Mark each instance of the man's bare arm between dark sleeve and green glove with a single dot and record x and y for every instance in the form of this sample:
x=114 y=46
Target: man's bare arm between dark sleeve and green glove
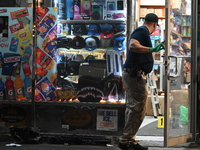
x=136 y=47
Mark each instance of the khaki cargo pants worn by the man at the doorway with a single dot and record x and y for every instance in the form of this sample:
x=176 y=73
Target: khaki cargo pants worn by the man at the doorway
x=136 y=97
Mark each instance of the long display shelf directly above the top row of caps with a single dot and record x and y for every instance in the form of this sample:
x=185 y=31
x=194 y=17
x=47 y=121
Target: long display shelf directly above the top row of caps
x=92 y=21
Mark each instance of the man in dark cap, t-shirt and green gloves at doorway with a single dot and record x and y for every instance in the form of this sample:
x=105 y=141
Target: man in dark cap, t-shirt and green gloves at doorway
x=138 y=64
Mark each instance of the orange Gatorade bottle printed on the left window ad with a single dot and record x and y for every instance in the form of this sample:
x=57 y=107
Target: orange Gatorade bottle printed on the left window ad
x=19 y=88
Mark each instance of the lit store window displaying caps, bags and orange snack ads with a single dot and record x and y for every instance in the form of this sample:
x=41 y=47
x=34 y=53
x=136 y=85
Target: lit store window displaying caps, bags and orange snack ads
x=82 y=46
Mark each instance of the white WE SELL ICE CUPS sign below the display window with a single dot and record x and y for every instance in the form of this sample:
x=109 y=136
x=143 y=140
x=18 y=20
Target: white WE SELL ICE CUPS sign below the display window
x=107 y=119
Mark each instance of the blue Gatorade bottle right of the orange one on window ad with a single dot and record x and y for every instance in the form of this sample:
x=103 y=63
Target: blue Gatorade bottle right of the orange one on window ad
x=28 y=87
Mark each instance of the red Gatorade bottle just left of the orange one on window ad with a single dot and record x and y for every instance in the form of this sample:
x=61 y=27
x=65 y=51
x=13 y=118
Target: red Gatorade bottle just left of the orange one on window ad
x=10 y=91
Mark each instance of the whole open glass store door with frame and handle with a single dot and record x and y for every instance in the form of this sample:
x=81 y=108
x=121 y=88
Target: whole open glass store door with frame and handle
x=179 y=62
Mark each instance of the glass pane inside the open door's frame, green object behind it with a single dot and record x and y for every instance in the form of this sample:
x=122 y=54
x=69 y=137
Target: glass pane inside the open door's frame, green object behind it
x=180 y=67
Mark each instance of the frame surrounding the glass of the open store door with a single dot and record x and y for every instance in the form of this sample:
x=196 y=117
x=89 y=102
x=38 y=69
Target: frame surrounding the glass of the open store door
x=172 y=141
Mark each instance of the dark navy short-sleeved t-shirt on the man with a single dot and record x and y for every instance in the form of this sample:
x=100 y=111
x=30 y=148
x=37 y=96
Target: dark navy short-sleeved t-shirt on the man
x=143 y=60
